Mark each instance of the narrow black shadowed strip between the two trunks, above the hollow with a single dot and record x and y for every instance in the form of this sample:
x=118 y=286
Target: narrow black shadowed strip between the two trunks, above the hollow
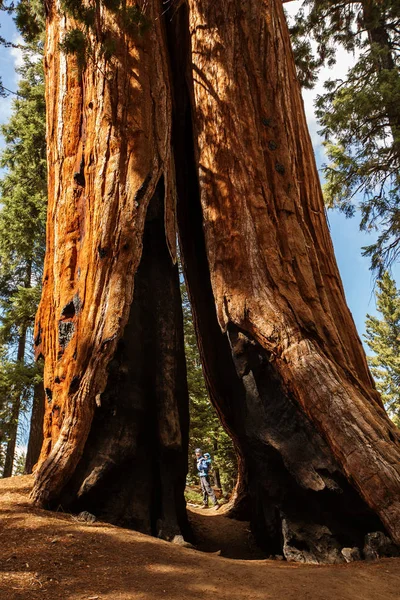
x=213 y=344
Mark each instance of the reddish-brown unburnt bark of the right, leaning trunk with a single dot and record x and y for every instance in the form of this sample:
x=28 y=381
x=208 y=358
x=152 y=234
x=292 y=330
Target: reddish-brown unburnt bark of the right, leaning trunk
x=275 y=282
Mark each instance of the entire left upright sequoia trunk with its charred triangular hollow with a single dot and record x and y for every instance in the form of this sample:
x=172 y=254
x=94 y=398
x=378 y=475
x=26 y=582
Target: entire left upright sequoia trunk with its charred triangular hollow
x=109 y=157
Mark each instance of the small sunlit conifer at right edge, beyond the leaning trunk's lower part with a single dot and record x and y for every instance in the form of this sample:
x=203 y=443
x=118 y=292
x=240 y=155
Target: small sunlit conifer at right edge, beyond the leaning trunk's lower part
x=383 y=338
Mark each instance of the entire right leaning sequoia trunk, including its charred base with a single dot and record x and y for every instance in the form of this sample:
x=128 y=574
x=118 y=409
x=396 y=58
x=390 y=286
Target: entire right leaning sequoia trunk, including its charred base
x=311 y=425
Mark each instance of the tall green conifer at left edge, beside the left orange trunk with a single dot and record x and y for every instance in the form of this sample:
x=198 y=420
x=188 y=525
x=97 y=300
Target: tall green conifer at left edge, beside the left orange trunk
x=22 y=243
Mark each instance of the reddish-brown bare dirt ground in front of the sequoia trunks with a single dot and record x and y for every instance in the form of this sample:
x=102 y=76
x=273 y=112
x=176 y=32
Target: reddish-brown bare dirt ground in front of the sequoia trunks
x=52 y=556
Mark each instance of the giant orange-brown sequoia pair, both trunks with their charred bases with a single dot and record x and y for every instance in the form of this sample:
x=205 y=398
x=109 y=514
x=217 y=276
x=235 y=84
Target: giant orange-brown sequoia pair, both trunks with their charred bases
x=193 y=121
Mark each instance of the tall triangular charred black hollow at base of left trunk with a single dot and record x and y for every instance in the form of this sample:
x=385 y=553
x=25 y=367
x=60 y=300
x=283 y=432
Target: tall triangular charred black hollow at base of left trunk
x=134 y=465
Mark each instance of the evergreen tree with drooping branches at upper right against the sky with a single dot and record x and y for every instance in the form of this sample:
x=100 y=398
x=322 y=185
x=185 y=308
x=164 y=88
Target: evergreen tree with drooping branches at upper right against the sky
x=360 y=115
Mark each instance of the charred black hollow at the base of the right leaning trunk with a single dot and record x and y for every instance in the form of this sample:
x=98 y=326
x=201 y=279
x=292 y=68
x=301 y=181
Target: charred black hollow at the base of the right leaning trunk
x=301 y=501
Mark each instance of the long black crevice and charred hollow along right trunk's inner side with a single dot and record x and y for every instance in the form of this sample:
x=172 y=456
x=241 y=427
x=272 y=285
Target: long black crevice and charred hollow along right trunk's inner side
x=298 y=499
